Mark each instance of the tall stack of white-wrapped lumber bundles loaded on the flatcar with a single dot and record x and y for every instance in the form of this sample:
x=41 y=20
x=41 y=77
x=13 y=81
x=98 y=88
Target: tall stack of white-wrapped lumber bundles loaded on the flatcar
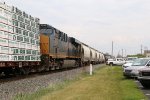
x=19 y=35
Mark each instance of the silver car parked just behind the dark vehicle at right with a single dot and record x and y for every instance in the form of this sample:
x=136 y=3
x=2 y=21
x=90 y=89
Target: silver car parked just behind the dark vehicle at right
x=133 y=70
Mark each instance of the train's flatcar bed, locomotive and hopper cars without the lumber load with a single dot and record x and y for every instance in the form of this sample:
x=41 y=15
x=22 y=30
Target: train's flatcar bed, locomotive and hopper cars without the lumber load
x=58 y=51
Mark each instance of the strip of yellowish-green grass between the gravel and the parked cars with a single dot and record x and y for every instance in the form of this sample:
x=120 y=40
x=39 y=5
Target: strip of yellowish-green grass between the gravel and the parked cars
x=107 y=83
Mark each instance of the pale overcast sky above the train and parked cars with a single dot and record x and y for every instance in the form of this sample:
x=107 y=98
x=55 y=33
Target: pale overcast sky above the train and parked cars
x=96 y=22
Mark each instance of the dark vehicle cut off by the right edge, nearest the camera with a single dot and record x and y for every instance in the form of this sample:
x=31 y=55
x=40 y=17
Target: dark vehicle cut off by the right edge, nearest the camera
x=144 y=76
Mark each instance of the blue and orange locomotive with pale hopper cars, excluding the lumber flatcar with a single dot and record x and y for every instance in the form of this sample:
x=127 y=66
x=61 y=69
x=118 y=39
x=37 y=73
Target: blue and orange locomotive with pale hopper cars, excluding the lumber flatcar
x=57 y=49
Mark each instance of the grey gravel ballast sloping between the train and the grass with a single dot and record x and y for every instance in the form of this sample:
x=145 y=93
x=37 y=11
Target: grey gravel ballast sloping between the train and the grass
x=9 y=90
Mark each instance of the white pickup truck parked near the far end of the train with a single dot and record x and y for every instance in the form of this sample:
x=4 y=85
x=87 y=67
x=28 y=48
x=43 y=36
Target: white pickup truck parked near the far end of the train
x=116 y=61
